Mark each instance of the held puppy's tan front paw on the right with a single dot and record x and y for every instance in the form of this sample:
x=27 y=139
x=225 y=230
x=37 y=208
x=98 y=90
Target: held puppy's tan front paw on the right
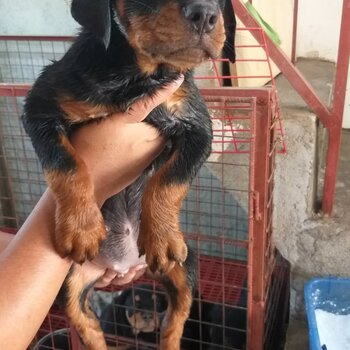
x=163 y=251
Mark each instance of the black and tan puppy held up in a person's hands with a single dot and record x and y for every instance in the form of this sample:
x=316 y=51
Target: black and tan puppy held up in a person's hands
x=127 y=49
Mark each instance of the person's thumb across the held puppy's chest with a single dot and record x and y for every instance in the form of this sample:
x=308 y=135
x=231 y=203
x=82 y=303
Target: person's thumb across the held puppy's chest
x=139 y=110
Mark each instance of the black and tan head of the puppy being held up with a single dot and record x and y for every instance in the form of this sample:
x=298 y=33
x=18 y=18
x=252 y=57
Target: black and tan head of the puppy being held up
x=178 y=33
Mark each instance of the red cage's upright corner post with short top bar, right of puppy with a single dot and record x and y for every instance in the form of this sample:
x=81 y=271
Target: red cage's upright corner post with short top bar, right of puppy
x=259 y=267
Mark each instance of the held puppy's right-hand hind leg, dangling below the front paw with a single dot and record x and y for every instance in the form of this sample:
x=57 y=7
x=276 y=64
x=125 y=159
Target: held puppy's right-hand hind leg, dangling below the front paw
x=179 y=285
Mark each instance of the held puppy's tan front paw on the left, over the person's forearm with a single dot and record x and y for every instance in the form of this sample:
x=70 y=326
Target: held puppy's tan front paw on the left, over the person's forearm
x=79 y=234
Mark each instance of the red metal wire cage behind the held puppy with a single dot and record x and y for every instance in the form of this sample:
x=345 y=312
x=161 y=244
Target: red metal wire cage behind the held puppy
x=243 y=284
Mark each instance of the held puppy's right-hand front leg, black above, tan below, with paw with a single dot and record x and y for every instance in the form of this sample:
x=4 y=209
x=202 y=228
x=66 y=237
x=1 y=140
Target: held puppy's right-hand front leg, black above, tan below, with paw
x=160 y=235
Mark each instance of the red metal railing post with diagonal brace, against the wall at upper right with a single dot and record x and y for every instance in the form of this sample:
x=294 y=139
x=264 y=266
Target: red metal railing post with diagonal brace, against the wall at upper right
x=331 y=119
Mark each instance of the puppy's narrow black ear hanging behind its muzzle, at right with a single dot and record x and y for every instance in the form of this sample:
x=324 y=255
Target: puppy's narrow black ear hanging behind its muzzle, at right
x=230 y=25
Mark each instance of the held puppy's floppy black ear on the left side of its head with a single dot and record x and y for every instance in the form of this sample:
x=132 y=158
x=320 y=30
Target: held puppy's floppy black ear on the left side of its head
x=95 y=16
